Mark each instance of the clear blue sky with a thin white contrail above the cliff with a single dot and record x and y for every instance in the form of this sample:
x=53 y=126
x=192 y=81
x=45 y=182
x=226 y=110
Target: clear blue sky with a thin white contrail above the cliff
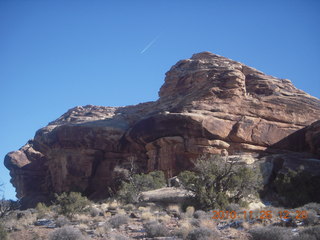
x=55 y=55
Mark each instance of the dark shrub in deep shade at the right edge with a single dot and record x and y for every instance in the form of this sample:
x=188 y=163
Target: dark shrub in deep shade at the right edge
x=290 y=183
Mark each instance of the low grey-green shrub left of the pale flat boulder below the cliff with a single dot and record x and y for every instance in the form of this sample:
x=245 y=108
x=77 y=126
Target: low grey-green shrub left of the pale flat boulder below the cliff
x=130 y=190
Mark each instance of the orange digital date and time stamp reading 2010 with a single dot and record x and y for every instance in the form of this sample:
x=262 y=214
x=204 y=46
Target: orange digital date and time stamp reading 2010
x=263 y=214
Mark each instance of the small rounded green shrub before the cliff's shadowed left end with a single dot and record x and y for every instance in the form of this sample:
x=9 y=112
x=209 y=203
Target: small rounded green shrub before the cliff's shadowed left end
x=72 y=203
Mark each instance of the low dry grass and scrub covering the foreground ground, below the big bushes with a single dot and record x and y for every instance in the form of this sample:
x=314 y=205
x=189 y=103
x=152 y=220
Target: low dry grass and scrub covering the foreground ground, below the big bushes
x=149 y=220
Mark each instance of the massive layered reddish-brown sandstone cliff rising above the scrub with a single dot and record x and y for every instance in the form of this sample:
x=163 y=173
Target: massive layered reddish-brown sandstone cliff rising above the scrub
x=208 y=104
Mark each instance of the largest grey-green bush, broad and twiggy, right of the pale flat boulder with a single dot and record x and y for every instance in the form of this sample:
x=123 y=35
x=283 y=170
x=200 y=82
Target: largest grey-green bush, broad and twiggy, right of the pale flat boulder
x=217 y=181
